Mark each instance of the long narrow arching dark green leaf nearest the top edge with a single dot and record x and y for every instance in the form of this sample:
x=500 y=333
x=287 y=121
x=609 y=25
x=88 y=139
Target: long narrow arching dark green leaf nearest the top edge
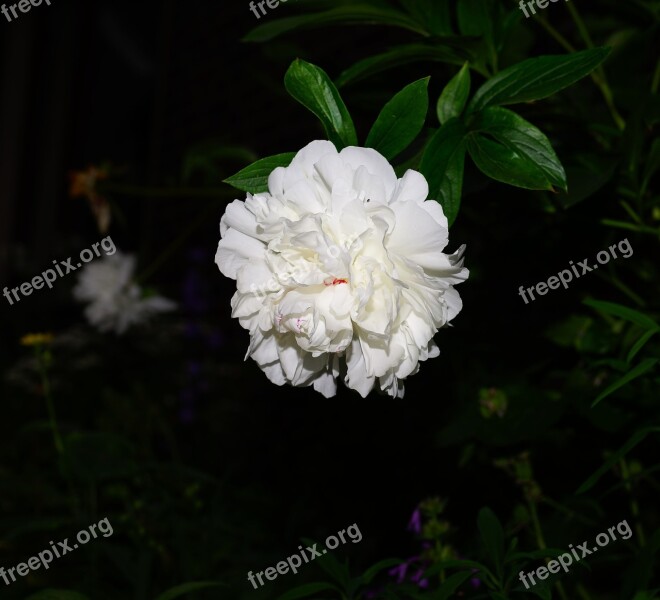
x=353 y=14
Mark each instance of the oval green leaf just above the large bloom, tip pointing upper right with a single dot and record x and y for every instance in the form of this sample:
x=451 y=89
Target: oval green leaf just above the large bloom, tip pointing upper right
x=401 y=120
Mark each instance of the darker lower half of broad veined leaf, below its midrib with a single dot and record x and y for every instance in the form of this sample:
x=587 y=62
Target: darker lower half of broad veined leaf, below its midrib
x=506 y=165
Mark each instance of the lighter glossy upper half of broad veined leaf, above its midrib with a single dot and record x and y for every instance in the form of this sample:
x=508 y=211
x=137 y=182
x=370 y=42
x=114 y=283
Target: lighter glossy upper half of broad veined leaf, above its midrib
x=521 y=137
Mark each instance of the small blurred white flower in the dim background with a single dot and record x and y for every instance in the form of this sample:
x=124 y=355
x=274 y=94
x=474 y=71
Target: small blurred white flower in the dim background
x=116 y=302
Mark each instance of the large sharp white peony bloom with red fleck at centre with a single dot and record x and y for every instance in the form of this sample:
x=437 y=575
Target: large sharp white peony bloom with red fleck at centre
x=340 y=269
